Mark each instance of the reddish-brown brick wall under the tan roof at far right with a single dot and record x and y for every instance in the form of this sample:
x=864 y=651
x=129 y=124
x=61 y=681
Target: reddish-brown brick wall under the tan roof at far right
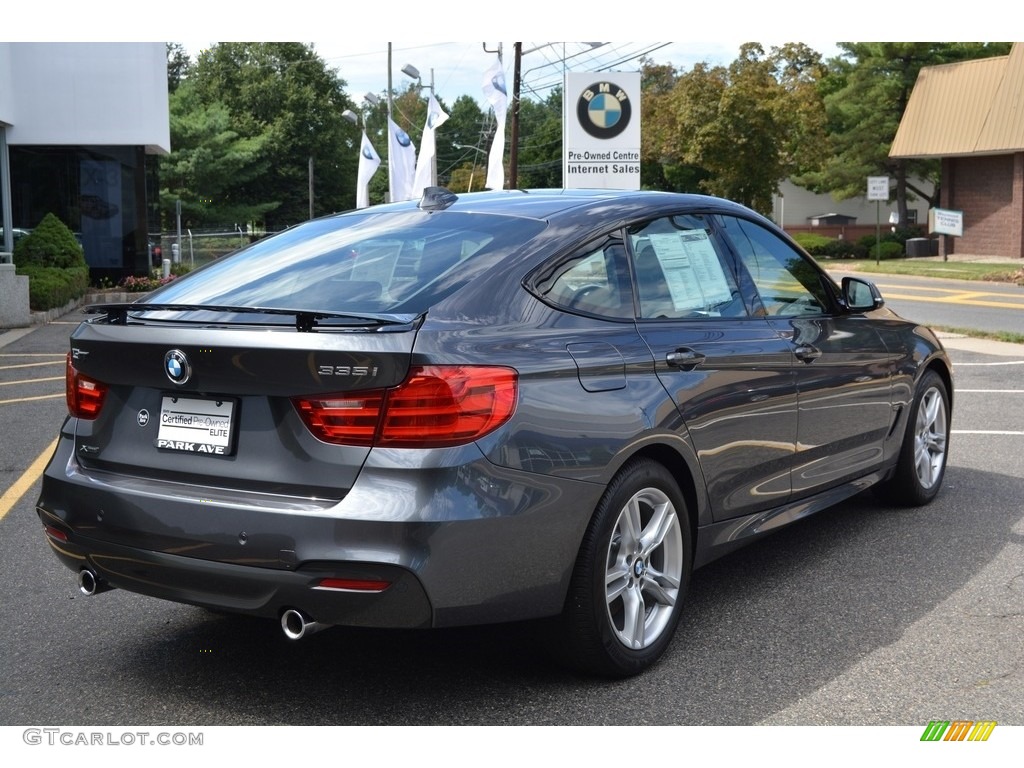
x=991 y=193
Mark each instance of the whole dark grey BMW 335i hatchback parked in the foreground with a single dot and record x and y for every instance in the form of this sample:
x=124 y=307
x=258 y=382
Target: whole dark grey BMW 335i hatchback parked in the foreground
x=486 y=408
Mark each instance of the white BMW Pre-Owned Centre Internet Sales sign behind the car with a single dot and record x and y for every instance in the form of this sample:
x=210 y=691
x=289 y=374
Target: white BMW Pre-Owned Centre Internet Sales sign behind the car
x=603 y=132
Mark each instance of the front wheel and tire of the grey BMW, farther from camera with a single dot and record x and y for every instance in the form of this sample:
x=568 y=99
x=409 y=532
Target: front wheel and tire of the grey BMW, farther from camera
x=923 y=455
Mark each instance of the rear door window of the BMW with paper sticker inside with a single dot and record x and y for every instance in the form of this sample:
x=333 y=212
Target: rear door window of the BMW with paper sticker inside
x=680 y=273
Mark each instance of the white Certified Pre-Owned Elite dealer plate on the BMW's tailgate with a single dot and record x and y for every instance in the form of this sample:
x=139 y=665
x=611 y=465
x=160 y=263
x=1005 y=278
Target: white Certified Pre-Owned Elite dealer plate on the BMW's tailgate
x=197 y=425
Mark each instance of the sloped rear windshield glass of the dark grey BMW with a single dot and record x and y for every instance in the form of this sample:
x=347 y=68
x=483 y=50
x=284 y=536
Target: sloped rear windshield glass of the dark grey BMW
x=373 y=264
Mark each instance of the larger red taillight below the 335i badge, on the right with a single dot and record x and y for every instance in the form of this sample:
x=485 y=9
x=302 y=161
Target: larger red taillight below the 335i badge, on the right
x=436 y=407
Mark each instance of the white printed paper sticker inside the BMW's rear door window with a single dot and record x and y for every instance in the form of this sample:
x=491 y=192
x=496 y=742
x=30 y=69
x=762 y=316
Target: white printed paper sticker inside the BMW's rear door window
x=692 y=269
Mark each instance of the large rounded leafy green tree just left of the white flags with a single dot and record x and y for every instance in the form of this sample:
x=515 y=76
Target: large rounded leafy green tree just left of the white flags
x=284 y=112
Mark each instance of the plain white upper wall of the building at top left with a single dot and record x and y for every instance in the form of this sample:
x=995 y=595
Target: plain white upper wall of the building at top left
x=86 y=94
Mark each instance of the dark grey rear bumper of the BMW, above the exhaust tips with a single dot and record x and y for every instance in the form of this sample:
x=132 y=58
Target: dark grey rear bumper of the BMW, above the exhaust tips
x=478 y=544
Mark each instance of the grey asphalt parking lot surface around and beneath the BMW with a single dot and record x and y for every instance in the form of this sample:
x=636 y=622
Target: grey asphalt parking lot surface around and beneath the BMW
x=860 y=616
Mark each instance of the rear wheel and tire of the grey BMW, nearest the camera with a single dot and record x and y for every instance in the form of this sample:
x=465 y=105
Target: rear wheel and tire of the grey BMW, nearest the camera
x=627 y=590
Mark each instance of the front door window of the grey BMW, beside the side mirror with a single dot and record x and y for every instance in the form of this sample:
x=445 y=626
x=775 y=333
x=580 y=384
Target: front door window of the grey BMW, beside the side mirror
x=788 y=284
